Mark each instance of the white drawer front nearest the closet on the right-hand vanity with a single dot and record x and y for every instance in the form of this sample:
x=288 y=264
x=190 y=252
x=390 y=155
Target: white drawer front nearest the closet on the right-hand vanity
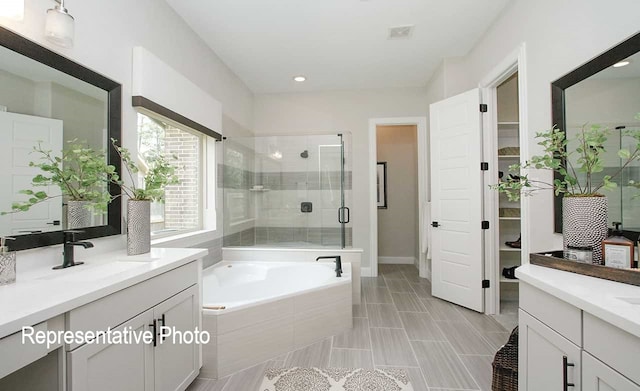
x=555 y=313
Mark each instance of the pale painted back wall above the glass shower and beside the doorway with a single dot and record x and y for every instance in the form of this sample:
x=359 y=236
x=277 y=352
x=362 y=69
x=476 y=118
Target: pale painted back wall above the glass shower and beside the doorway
x=340 y=111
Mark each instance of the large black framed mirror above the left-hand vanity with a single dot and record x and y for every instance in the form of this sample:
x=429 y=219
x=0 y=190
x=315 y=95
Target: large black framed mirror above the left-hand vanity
x=43 y=87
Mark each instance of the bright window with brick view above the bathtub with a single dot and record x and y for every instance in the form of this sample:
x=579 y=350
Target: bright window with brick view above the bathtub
x=183 y=208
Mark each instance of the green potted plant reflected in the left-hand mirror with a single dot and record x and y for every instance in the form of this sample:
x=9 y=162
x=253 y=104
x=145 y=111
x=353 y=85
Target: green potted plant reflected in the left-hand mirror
x=82 y=174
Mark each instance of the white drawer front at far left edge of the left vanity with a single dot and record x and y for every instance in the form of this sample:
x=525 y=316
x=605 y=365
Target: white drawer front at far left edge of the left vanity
x=16 y=355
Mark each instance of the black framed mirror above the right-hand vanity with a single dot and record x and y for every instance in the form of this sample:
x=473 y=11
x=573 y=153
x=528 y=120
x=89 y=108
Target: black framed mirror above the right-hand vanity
x=599 y=93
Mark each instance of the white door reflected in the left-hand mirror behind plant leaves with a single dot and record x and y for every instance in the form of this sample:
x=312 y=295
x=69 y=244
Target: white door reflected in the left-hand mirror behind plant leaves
x=19 y=133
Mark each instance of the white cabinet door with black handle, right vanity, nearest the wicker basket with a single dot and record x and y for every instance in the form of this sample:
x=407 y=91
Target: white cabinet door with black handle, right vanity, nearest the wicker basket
x=541 y=358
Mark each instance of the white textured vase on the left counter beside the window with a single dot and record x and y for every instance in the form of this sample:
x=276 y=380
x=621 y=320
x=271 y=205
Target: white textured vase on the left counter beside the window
x=138 y=227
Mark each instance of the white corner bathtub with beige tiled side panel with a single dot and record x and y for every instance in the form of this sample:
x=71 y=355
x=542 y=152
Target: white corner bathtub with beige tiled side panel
x=256 y=311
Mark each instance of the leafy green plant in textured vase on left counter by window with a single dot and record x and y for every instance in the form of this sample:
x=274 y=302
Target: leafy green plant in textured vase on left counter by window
x=158 y=174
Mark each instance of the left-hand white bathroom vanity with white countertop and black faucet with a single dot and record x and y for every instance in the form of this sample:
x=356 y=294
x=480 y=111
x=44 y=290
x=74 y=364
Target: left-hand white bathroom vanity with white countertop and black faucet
x=111 y=291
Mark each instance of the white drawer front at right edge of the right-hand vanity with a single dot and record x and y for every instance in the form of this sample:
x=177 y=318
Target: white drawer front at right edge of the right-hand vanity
x=613 y=346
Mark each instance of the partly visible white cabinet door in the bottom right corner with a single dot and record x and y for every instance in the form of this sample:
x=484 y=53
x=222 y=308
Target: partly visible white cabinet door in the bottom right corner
x=597 y=376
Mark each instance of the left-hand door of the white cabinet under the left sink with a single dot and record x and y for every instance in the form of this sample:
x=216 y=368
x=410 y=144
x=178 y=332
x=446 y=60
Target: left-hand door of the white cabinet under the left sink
x=119 y=366
